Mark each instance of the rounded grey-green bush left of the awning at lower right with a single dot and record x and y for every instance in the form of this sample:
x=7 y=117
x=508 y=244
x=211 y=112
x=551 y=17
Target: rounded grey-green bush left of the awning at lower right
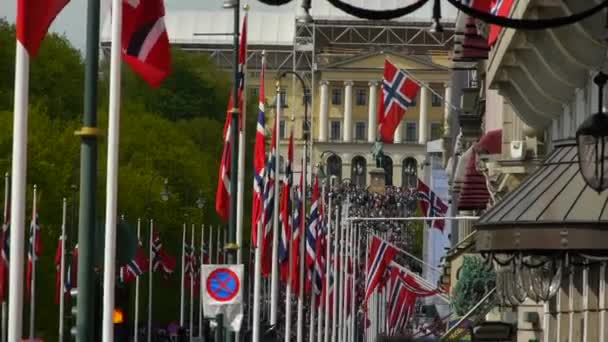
x=474 y=282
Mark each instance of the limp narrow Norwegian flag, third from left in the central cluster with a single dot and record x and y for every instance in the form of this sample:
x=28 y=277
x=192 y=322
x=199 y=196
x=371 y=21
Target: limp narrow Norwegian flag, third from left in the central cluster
x=285 y=214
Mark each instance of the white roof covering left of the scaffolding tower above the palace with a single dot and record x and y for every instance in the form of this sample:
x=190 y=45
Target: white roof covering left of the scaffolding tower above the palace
x=264 y=28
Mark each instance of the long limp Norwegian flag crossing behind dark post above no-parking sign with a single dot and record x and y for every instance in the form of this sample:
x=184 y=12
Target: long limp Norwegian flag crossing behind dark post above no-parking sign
x=222 y=196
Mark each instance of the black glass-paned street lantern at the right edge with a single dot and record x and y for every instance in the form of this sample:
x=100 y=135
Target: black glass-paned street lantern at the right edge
x=592 y=141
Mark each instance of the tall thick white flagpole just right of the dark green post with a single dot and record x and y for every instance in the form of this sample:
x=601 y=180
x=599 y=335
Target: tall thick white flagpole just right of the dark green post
x=112 y=174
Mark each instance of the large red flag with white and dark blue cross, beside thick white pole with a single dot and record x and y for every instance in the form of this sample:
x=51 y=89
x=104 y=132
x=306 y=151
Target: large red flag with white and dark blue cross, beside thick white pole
x=145 y=44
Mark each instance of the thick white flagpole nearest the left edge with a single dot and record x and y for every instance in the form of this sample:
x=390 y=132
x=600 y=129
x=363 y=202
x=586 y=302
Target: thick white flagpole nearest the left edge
x=18 y=184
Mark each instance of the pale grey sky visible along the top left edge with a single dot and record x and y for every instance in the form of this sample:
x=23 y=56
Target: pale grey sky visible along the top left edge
x=72 y=20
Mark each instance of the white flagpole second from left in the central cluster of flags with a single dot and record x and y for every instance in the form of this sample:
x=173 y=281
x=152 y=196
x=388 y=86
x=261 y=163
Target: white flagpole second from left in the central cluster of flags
x=274 y=286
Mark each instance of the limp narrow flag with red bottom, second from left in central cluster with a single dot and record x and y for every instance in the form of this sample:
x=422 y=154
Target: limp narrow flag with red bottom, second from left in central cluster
x=269 y=203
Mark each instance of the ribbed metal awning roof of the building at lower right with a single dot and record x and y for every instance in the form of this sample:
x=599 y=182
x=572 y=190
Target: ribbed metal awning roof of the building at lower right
x=553 y=209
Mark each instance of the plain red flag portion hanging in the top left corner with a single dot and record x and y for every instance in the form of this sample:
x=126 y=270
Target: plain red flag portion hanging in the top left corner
x=33 y=20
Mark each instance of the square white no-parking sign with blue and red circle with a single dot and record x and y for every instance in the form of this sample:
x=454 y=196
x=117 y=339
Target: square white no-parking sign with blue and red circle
x=223 y=293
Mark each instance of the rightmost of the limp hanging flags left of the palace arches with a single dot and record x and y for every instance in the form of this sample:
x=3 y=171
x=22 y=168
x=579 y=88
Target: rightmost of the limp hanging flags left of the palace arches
x=311 y=239
